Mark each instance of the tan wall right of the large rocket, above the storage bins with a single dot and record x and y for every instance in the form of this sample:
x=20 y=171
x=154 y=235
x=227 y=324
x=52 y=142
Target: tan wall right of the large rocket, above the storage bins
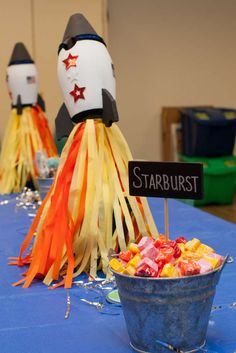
x=170 y=52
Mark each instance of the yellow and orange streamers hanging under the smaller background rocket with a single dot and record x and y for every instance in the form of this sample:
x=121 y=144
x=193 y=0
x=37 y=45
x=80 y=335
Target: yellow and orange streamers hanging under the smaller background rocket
x=25 y=135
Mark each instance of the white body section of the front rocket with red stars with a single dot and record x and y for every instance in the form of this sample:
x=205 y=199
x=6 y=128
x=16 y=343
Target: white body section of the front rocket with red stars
x=92 y=73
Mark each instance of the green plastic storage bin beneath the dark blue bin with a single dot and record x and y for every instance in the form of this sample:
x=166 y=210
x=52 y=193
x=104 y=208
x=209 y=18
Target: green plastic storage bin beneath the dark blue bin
x=219 y=179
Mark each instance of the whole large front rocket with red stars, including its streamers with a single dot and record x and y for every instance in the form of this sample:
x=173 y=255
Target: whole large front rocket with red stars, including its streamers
x=88 y=210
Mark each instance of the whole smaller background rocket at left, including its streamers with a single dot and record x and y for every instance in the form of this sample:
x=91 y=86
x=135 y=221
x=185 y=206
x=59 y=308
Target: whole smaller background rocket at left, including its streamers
x=28 y=130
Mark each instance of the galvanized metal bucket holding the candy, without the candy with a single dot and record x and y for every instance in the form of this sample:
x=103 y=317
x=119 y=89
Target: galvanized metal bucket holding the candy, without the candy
x=166 y=312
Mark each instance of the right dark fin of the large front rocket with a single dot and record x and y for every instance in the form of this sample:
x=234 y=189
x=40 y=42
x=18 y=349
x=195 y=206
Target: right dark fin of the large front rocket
x=110 y=113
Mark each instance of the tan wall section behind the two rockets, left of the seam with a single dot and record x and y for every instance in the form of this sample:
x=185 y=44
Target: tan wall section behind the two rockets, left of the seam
x=40 y=24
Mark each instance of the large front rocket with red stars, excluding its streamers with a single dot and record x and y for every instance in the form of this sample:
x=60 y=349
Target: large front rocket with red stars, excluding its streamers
x=86 y=76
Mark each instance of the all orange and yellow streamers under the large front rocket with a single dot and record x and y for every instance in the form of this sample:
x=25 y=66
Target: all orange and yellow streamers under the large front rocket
x=88 y=209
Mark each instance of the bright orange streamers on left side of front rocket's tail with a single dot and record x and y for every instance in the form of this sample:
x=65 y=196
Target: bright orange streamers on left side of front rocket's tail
x=57 y=229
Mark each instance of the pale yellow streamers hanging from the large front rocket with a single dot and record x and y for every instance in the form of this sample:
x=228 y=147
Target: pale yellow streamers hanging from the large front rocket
x=111 y=217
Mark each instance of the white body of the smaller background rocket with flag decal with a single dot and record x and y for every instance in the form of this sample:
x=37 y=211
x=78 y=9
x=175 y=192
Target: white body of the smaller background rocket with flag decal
x=22 y=80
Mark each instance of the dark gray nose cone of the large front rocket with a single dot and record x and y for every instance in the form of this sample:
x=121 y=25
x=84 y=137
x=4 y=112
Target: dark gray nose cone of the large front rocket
x=76 y=26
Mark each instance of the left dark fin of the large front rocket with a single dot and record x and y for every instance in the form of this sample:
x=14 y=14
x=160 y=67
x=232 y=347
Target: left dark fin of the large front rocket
x=63 y=122
